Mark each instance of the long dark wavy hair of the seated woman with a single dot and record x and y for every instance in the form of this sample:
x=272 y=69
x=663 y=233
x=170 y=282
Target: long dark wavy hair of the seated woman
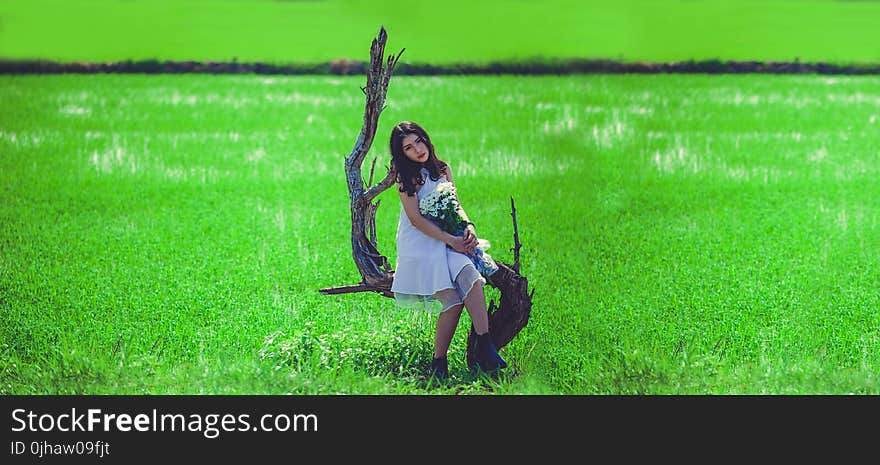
x=408 y=171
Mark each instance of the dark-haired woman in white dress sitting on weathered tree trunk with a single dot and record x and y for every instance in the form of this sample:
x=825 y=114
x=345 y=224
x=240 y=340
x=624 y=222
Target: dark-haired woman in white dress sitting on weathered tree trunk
x=434 y=272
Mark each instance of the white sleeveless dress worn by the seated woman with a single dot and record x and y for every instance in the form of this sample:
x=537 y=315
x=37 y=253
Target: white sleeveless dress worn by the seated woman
x=429 y=275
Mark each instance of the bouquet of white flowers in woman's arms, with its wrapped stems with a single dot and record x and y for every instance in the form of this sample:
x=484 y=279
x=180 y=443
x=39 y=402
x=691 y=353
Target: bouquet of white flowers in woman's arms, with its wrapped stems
x=441 y=207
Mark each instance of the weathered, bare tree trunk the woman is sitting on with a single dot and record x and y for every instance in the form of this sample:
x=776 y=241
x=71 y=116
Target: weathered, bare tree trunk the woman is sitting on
x=510 y=317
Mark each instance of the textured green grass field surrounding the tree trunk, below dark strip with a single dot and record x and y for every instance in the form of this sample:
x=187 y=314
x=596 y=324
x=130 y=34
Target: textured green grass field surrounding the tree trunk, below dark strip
x=685 y=234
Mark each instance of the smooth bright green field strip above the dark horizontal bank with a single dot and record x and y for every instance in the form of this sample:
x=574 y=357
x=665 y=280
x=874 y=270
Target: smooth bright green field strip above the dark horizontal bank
x=441 y=32
